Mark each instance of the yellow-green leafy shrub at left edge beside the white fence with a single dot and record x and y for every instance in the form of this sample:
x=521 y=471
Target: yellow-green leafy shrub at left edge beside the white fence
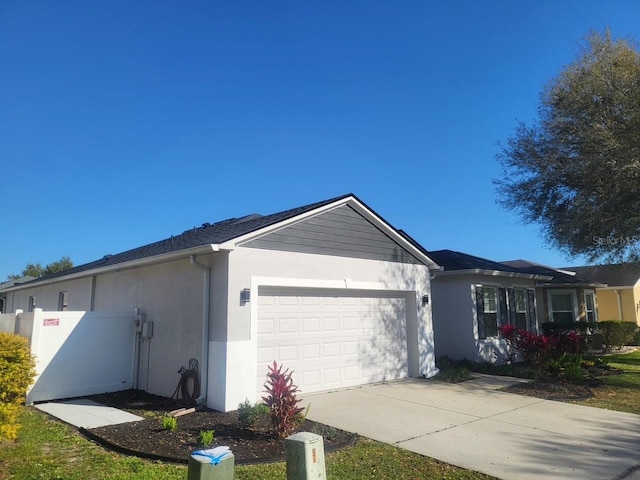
x=17 y=369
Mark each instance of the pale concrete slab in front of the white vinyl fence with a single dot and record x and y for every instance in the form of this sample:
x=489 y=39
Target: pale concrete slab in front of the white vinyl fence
x=81 y=412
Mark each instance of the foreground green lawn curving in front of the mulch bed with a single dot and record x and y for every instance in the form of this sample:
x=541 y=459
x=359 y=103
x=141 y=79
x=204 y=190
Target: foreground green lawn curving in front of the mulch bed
x=49 y=450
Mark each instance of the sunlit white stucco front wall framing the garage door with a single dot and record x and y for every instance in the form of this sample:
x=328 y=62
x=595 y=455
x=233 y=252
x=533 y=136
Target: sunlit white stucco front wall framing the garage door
x=250 y=268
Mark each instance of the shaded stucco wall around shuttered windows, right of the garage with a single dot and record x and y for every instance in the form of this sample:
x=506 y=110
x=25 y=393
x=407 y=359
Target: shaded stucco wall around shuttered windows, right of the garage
x=455 y=321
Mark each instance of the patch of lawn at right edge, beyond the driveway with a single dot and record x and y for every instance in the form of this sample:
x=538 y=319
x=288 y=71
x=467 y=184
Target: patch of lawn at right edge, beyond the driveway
x=619 y=392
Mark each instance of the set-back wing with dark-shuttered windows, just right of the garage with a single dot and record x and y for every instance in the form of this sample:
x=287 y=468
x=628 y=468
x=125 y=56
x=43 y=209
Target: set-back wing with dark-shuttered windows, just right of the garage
x=472 y=297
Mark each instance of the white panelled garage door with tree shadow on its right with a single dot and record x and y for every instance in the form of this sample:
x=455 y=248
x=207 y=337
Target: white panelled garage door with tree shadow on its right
x=332 y=338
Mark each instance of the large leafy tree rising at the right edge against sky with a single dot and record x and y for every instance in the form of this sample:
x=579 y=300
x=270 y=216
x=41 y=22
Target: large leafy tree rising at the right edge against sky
x=576 y=170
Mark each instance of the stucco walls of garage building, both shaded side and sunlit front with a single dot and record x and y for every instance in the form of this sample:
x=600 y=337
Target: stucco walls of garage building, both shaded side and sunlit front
x=171 y=295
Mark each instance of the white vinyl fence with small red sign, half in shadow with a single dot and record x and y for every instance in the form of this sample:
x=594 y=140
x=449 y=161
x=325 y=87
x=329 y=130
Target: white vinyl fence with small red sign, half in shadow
x=77 y=353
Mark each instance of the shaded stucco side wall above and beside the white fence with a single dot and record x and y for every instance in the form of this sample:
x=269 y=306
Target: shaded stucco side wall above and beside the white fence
x=170 y=294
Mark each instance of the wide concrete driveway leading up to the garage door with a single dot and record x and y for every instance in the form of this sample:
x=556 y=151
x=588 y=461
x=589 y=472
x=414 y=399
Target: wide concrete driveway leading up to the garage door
x=474 y=426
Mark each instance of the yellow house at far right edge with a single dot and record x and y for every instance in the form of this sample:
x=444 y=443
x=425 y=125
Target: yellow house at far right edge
x=620 y=299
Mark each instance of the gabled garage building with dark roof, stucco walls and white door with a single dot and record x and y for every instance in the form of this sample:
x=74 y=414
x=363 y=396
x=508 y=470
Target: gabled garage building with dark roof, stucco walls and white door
x=330 y=290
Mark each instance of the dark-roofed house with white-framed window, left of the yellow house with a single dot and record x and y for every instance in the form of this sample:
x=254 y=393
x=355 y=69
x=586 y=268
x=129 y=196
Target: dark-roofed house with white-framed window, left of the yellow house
x=565 y=298
